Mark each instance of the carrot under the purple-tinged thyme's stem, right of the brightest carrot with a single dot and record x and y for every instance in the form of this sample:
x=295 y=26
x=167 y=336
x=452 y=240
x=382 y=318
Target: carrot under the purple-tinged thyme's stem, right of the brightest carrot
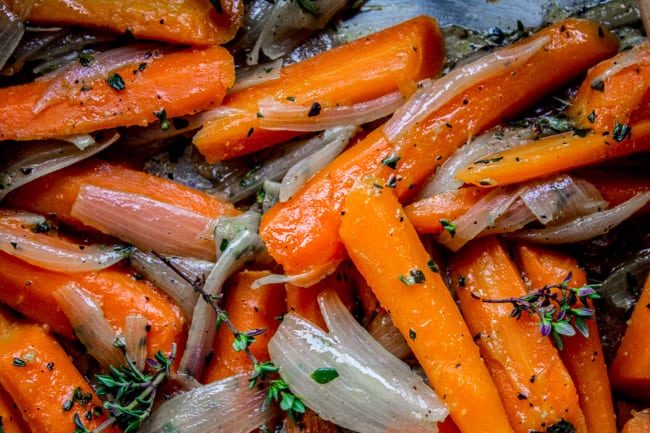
x=535 y=387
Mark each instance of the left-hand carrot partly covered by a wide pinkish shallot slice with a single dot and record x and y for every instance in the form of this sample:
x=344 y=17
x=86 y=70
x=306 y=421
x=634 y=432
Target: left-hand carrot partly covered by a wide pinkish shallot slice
x=55 y=194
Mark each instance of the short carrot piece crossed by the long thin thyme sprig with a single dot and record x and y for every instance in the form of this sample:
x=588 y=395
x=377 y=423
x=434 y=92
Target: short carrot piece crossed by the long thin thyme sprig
x=248 y=309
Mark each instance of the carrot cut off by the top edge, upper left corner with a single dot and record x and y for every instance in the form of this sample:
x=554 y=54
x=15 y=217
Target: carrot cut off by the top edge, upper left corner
x=190 y=22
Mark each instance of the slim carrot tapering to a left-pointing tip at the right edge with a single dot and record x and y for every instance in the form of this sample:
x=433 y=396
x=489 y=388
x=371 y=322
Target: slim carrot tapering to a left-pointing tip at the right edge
x=555 y=154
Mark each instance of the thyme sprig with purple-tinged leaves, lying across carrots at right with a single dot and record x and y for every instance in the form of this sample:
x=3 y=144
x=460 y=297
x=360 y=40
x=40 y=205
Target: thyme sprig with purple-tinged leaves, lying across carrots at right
x=562 y=310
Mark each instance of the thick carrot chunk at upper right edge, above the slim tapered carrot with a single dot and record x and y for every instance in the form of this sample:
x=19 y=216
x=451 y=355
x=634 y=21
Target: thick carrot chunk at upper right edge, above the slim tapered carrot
x=619 y=97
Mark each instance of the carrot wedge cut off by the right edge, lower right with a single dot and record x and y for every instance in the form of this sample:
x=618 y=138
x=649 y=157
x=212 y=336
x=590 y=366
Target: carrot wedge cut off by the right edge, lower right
x=630 y=370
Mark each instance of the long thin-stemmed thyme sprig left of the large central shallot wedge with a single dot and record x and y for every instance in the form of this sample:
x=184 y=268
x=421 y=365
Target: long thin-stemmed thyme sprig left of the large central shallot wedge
x=263 y=372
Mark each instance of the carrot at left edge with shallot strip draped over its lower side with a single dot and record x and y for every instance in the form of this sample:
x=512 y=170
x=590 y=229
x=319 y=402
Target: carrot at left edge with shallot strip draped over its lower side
x=29 y=290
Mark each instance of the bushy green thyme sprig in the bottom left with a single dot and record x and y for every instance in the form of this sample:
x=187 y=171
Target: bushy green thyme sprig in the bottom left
x=132 y=392
